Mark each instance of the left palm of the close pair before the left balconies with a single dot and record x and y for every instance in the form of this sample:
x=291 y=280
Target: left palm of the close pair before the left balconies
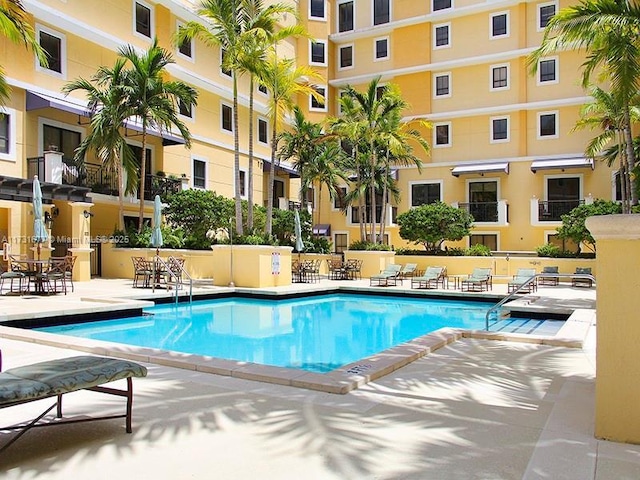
x=107 y=105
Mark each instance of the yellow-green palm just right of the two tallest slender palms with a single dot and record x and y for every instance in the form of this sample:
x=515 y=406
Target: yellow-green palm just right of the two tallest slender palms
x=285 y=81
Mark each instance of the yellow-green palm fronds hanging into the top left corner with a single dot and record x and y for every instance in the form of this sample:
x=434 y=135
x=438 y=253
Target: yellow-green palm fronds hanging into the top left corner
x=15 y=26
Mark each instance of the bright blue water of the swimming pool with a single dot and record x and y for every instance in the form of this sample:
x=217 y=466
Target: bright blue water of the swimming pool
x=316 y=334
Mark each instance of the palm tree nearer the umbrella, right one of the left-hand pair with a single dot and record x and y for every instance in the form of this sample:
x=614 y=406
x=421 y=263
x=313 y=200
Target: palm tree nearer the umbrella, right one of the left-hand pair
x=154 y=101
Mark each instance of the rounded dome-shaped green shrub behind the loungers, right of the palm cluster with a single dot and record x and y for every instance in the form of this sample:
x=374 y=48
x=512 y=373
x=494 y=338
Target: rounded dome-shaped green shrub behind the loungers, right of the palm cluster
x=432 y=224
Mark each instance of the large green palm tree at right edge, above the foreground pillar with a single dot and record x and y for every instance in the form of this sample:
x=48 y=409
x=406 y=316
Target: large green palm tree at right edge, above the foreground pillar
x=608 y=31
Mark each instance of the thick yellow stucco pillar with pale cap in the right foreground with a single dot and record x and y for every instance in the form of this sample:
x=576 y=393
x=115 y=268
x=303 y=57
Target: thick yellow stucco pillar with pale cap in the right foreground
x=618 y=329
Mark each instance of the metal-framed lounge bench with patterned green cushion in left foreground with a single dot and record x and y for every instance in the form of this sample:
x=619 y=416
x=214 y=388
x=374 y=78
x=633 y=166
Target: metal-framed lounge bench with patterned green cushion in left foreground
x=56 y=377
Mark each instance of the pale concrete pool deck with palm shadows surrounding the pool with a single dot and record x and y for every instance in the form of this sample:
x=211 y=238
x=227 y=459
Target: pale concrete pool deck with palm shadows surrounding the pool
x=471 y=409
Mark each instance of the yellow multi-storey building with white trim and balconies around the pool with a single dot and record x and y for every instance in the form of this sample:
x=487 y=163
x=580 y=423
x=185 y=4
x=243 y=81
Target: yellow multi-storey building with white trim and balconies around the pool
x=502 y=144
